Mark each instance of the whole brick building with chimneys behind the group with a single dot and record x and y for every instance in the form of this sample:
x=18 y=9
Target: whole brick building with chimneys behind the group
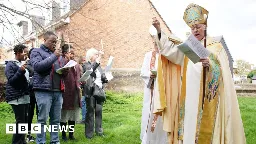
x=122 y=25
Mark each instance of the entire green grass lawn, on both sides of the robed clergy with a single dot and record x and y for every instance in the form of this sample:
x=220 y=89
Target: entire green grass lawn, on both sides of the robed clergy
x=121 y=121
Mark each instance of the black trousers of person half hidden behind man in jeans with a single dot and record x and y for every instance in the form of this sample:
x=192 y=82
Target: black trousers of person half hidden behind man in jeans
x=31 y=109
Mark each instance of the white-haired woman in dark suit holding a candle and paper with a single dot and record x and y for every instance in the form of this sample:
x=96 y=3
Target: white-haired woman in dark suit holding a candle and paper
x=94 y=93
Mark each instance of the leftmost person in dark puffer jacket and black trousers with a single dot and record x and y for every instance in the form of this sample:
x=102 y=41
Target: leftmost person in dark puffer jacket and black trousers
x=17 y=89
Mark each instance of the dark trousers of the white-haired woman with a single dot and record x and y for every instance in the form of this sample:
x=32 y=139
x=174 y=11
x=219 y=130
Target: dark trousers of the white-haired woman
x=94 y=109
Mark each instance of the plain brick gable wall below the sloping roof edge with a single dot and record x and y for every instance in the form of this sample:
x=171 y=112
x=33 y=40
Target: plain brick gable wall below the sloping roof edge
x=123 y=25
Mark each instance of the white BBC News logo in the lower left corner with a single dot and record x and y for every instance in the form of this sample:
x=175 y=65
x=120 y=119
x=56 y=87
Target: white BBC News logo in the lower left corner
x=36 y=128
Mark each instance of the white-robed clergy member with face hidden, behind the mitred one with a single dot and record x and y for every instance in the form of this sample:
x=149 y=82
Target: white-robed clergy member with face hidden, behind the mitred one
x=151 y=131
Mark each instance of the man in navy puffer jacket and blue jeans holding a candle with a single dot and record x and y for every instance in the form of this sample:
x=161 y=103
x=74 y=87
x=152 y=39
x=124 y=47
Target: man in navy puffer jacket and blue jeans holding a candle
x=48 y=85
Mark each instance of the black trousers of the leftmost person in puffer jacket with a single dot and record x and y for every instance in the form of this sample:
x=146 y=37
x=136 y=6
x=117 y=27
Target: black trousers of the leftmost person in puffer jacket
x=21 y=116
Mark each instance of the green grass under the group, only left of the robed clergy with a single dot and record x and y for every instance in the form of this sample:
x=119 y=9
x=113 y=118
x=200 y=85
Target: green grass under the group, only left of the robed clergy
x=121 y=121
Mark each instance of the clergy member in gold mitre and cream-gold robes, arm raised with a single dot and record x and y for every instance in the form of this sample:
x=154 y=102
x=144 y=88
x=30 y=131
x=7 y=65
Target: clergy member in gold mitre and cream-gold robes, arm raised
x=219 y=120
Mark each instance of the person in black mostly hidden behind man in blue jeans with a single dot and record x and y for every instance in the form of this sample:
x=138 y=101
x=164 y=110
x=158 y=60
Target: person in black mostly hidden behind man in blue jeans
x=32 y=105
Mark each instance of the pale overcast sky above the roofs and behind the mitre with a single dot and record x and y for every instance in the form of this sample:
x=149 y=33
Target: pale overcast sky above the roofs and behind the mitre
x=234 y=19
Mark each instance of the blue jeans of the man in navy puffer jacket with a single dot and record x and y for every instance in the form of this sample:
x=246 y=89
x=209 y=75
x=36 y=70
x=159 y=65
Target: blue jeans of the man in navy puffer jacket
x=49 y=104
